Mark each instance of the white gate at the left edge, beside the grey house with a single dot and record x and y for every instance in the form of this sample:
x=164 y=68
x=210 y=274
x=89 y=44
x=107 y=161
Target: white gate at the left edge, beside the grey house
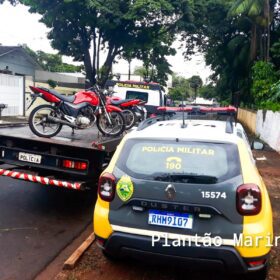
x=12 y=94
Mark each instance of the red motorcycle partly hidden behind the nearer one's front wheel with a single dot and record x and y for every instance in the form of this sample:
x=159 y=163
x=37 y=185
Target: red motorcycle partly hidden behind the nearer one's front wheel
x=132 y=109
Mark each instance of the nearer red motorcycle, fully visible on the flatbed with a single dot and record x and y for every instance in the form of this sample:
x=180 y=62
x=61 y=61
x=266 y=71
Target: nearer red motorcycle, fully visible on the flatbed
x=80 y=111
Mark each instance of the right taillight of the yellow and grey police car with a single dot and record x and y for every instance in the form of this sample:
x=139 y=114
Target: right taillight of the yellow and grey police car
x=249 y=200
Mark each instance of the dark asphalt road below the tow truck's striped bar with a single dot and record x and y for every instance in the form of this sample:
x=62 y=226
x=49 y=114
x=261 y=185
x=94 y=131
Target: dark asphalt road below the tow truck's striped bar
x=36 y=223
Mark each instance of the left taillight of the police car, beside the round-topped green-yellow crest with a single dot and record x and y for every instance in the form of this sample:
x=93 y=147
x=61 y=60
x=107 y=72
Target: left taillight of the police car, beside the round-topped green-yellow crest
x=107 y=187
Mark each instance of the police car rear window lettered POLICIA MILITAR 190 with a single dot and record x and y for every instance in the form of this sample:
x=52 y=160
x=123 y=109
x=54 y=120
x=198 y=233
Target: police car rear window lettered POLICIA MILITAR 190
x=151 y=159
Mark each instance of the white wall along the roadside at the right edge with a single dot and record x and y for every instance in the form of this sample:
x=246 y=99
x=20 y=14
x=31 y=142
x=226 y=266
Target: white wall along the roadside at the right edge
x=268 y=128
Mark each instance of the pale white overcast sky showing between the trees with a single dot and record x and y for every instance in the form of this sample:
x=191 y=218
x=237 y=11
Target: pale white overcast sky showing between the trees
x=18 y=26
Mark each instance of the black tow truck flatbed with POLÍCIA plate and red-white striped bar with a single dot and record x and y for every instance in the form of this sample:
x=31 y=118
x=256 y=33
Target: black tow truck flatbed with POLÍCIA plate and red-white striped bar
x=72 y=161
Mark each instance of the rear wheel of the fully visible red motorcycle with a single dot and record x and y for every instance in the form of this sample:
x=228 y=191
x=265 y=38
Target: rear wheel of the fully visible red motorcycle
x=39 y=123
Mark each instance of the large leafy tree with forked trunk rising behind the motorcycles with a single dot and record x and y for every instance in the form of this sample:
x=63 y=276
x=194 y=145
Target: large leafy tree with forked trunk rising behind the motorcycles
x=108 y=26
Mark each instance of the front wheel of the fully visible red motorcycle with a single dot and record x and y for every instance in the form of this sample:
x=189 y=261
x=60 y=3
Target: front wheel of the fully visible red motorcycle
x=116 y=127
